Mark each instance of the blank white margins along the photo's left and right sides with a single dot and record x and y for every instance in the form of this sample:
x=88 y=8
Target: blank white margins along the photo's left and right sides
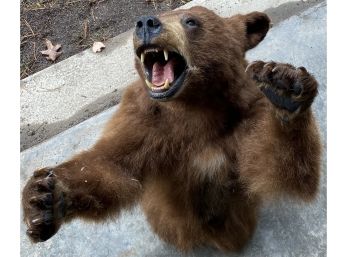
x=337 y=127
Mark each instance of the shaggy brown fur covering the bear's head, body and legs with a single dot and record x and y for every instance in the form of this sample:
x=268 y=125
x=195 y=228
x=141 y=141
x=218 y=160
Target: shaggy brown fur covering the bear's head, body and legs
x=200 y=164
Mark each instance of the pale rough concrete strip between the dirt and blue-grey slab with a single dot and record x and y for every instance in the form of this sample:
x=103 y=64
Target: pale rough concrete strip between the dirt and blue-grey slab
x=83 y=85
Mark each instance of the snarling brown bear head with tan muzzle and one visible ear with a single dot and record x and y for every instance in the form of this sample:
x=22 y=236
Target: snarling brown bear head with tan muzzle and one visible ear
x=194 y=52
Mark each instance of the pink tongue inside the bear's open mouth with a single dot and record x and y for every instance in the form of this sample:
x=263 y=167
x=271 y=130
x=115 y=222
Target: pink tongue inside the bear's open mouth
x=160 y=73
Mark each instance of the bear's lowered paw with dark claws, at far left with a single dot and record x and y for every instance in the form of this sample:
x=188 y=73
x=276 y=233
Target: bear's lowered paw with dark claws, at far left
x=44 y=205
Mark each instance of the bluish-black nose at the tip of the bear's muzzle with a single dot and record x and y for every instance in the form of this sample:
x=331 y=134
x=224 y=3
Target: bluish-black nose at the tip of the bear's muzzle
x=148 y=27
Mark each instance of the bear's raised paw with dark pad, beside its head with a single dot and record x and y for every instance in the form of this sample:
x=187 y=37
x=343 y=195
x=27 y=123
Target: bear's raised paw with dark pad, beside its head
x=291 y=90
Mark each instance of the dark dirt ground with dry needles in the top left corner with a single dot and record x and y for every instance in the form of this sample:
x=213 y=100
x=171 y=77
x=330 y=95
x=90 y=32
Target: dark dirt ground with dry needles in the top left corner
x=76 y=24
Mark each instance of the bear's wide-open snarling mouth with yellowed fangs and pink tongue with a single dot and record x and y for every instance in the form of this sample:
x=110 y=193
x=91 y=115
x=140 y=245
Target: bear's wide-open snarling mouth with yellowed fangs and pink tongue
x=164 y=70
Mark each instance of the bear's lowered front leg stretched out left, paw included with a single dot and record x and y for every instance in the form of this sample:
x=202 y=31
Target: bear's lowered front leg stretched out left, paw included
x=89 y=186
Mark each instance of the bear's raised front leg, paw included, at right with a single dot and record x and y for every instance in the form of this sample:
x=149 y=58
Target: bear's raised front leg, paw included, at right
x=285 y=145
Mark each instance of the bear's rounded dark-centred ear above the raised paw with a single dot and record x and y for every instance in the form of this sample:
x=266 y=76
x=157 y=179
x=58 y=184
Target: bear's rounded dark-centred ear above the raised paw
x=256 y=26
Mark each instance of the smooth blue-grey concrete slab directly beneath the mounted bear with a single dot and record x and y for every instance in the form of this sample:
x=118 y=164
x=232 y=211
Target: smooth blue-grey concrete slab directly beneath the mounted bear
x=286 y=228
